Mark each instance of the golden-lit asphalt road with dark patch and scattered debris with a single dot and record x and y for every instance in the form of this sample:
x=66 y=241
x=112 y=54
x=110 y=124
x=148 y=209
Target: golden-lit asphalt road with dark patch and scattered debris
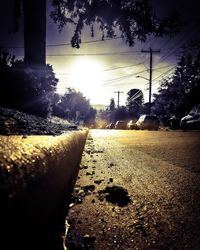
x=137 y=190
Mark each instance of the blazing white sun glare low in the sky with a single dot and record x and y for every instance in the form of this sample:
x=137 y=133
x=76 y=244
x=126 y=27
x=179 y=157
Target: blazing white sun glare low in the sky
x=85 y=75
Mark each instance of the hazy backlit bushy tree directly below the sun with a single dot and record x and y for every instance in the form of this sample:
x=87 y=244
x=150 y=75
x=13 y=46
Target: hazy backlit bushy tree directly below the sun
x=73 y=106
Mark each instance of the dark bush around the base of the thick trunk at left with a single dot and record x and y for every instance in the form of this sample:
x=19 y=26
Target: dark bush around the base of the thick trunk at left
x=24 y=88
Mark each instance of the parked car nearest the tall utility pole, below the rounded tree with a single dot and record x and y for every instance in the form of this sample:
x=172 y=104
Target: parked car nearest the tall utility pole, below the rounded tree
x=148 y=122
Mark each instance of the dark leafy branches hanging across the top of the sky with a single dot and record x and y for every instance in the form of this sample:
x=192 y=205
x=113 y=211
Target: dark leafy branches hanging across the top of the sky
x=134 y=19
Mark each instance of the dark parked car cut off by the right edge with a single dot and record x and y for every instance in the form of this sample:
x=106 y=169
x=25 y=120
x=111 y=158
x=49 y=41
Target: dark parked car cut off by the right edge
x=192 y=120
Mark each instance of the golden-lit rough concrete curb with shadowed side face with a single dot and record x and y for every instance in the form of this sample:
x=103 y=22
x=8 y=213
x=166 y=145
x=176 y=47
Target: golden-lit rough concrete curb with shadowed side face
x=37 y=174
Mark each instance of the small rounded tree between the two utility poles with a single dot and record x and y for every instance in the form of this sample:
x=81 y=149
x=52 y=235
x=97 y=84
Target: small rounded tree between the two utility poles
x=134 y=102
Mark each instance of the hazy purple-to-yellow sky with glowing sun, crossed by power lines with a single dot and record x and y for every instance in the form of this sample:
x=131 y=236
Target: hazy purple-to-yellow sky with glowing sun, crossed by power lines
x=101 y=68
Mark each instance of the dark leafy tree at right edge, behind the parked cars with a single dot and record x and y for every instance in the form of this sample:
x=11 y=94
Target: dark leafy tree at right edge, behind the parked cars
x=178 y=94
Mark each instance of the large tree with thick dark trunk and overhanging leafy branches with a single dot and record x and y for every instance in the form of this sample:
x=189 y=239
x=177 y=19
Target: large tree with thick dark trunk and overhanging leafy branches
x=132 y=18
